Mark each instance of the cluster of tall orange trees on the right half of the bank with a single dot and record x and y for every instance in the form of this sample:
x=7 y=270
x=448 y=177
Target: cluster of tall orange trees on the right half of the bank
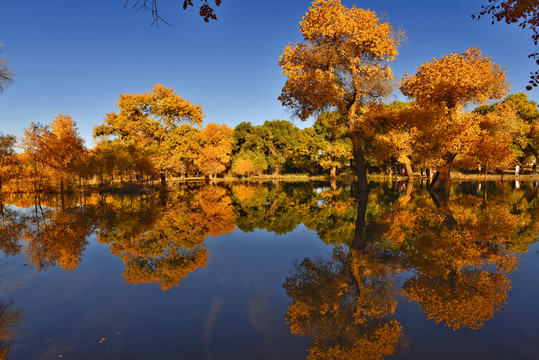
x=342 y=64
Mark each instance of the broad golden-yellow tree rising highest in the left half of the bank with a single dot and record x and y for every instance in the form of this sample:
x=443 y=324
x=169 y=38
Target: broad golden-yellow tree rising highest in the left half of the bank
x=148 y=120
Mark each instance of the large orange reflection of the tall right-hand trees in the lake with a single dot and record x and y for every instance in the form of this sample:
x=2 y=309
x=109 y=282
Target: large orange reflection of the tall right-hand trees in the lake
x=458 y=253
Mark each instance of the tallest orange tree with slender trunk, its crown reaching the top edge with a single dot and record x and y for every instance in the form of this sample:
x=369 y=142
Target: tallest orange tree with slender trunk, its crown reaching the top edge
x=341 y=64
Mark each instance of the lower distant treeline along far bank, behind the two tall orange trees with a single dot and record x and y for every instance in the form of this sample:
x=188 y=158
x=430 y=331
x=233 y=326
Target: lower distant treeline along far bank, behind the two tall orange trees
x=158 y=135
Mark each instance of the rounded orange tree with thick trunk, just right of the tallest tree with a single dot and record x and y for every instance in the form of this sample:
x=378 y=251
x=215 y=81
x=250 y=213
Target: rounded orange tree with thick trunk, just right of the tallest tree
x=441 y=89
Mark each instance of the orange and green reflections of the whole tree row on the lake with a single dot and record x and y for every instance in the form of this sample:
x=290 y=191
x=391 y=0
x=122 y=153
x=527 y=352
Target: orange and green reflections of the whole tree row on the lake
x=450 y=255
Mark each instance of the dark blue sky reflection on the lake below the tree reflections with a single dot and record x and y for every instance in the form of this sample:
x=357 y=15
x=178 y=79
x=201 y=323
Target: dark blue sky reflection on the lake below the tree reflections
x=234 y=307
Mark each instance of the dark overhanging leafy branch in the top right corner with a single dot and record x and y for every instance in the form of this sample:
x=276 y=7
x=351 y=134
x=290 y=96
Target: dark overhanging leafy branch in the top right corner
x=523 y=12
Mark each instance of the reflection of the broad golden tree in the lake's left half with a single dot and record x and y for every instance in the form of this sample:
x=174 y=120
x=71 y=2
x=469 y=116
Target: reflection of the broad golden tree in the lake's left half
x=169 y=246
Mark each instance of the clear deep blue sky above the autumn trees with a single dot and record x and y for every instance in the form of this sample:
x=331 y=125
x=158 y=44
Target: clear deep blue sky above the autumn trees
x=75 y=57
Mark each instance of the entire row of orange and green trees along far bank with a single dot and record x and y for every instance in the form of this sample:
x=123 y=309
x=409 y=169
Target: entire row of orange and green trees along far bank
x=339 y=73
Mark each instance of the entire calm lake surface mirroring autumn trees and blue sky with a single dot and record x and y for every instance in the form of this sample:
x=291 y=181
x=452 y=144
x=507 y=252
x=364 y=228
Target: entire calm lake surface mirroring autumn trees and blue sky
x=279 y=271
